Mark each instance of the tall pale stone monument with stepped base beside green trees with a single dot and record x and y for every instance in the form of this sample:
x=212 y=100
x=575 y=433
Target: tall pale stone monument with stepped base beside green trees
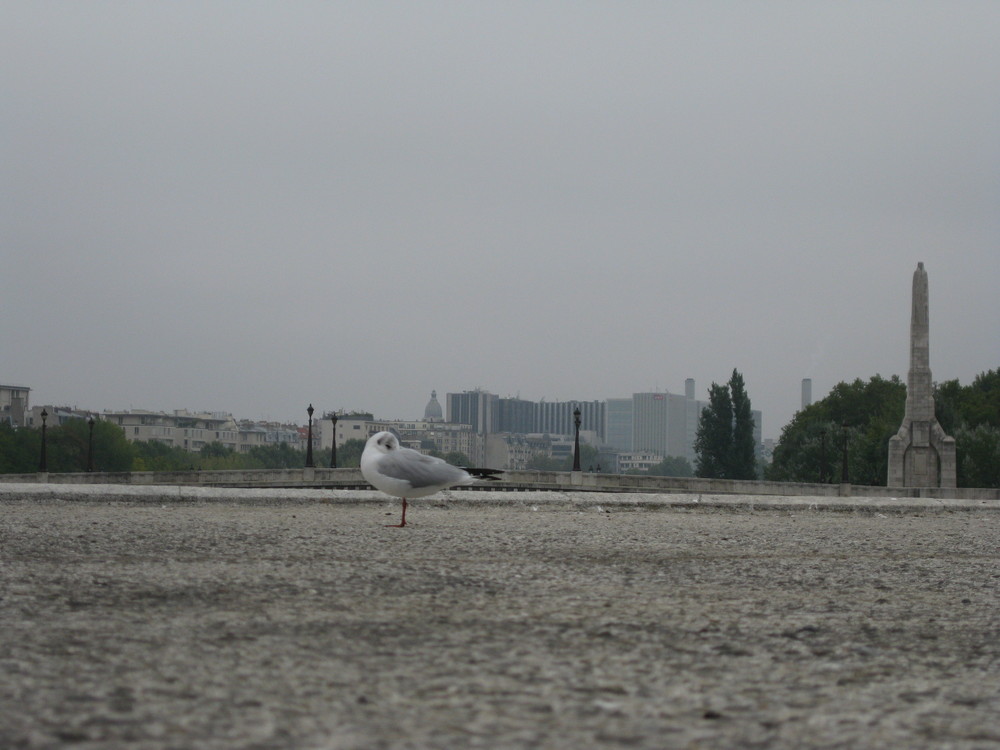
x=920 y=454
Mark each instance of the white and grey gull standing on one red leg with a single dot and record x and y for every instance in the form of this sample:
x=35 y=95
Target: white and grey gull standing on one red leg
x=406 y=473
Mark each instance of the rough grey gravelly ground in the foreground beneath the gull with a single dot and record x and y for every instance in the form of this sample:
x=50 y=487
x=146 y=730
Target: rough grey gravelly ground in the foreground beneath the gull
x=309 y=625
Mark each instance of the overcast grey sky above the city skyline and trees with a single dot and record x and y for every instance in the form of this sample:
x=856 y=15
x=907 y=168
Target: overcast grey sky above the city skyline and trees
x=251 y=206
